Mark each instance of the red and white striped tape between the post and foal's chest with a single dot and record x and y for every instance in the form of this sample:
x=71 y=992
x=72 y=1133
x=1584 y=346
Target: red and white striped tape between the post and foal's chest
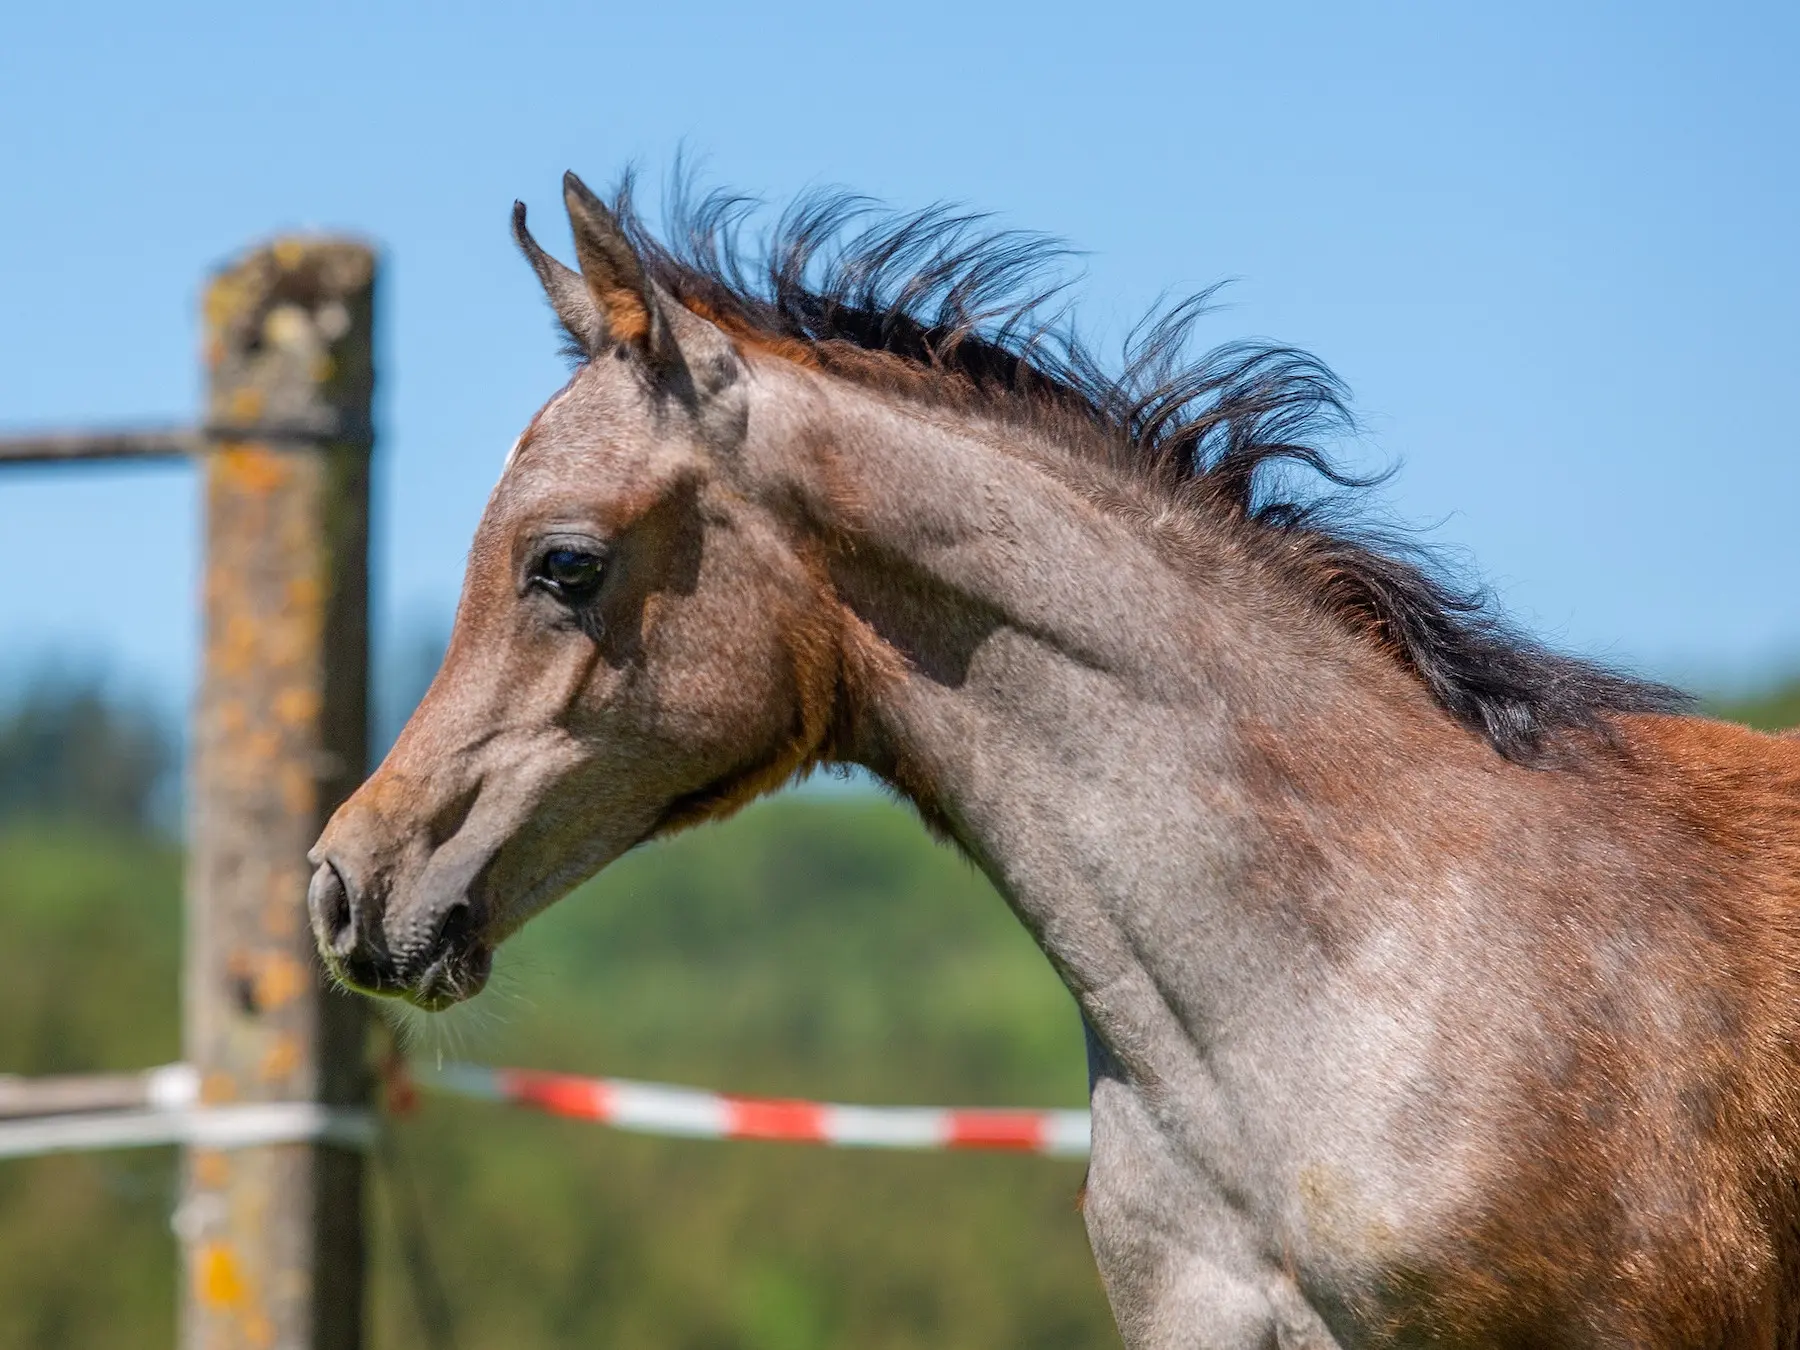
x=697 y=1115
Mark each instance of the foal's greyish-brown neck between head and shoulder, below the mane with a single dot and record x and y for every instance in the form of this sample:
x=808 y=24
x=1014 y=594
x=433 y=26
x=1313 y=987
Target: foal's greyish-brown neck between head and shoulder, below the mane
x=1108 y=721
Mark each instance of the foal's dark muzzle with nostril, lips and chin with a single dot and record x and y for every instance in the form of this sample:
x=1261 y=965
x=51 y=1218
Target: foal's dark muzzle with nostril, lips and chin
x=438 y=958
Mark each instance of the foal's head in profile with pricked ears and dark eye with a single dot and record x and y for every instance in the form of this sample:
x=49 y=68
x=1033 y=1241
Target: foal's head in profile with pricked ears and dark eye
x=636 y=647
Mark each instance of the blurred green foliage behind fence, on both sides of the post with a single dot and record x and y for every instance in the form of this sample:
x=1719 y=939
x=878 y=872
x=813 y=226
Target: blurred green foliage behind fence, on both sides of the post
x=816 y=946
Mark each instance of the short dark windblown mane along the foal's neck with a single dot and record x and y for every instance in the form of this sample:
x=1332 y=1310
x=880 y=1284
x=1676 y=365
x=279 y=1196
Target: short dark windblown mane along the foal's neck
x=937 y=303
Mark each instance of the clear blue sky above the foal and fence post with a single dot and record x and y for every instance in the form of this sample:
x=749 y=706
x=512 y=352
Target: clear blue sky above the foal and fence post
x=1551 y=247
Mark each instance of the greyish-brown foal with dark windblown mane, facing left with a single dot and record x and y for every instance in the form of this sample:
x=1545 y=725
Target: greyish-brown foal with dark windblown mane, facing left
x=1441 y=991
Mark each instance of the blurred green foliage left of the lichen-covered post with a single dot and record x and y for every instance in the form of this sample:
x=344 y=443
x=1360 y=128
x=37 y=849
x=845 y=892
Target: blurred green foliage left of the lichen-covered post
x=91 y=942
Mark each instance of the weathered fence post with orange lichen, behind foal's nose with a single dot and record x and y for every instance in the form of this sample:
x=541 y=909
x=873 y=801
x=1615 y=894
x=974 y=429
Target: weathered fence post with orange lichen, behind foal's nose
x=273 y=1234
